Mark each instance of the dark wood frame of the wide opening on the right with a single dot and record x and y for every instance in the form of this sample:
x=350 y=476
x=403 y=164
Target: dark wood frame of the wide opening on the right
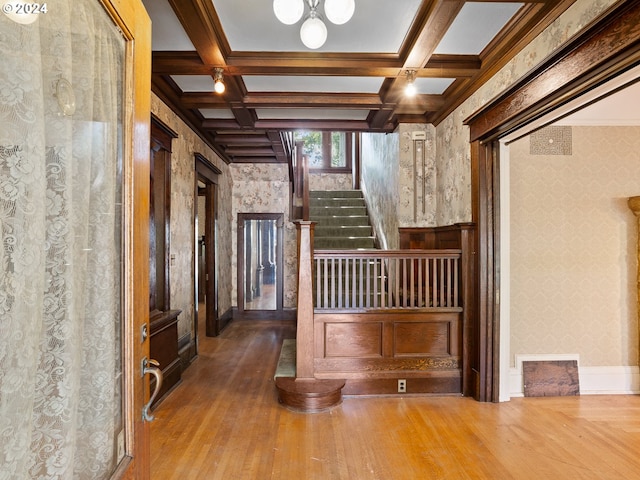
x=607 y=48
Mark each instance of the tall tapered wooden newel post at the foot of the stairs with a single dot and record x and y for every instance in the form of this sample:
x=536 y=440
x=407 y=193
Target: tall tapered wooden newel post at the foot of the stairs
x=304 y=333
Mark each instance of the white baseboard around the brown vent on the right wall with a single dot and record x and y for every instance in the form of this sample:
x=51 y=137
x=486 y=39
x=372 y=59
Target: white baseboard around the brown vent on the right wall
x=606 y=380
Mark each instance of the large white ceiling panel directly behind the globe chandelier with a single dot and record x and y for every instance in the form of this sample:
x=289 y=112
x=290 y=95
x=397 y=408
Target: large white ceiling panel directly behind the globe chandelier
x=367 y=31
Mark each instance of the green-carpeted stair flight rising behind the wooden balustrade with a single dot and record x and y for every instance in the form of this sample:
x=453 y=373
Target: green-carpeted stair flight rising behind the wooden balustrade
x=342 y=220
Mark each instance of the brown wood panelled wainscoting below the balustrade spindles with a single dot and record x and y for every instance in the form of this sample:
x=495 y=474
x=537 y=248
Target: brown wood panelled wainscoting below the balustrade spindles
x=373 y=350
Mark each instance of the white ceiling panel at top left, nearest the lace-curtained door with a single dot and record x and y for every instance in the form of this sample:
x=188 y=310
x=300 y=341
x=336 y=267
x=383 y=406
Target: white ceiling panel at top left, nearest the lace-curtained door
x=167 y=32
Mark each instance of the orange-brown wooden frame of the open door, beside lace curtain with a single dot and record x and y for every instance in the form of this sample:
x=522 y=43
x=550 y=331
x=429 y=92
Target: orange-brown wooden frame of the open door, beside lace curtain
x=132 y=19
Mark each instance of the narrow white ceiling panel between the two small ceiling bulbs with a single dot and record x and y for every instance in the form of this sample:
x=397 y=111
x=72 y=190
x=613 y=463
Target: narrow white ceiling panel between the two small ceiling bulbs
x=266 y=83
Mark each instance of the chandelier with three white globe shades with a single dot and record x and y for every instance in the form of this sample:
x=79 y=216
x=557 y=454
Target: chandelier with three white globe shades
x=313 y=31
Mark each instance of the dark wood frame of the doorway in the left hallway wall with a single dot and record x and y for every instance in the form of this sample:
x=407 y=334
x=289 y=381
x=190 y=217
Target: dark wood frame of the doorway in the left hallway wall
x=207 y=173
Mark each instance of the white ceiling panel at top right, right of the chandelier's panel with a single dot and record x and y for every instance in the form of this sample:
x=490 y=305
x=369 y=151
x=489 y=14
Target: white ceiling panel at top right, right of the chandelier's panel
x=475 y=26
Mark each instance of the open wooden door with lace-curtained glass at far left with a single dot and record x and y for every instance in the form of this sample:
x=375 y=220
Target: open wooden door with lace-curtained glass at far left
x=74 y=244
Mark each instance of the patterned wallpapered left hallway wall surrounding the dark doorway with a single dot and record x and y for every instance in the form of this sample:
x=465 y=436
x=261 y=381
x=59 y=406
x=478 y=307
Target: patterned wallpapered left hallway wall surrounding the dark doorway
x=182 y=239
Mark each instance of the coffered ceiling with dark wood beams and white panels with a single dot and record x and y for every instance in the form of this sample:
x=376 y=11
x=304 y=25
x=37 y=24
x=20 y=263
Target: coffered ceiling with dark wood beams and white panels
x=354 y=82
